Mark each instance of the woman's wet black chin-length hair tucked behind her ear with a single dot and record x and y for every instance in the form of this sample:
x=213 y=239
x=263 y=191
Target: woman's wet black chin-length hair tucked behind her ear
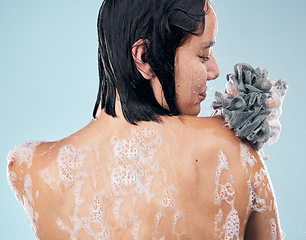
x=163 y=25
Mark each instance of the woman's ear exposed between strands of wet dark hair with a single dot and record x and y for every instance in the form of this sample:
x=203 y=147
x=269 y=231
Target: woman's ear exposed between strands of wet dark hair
x=139 y=53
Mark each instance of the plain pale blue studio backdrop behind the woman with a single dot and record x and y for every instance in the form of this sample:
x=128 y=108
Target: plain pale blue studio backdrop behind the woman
x=49 y=81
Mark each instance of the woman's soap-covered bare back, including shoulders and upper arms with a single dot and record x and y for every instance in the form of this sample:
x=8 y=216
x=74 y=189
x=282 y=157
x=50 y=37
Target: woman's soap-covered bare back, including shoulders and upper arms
x=185 y=178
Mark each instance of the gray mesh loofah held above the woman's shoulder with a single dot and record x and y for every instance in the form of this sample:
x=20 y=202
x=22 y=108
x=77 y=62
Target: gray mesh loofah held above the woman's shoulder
x=245 y=105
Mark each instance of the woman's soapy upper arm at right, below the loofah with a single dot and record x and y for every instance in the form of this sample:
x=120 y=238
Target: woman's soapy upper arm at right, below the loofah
x=263 y=222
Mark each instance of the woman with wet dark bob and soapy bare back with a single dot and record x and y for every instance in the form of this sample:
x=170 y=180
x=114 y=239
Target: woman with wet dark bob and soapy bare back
x=146 y=167
